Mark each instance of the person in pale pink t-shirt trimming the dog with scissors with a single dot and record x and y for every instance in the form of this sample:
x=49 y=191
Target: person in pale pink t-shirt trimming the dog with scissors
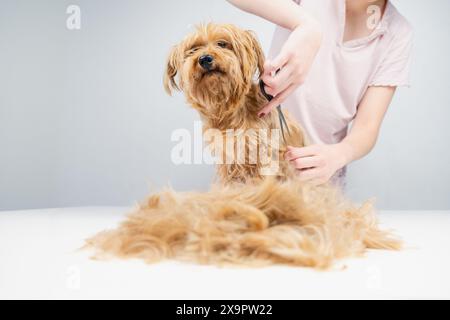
x=334 y=63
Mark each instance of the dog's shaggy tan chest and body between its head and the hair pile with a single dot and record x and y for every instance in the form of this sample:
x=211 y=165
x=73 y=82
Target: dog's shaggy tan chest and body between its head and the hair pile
x=247 y=147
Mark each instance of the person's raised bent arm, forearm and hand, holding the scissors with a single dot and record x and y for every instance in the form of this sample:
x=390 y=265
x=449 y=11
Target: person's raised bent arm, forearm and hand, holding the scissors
x=293 y=63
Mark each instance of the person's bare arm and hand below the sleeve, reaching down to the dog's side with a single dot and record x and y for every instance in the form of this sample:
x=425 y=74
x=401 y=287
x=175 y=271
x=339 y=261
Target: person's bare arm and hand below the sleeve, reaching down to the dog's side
x=318 y=163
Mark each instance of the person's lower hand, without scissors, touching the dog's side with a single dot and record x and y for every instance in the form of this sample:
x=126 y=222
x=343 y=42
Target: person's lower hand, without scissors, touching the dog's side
x=317 y=163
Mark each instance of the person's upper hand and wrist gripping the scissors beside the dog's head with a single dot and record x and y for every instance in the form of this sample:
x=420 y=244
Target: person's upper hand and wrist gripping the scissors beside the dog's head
x=292 y=63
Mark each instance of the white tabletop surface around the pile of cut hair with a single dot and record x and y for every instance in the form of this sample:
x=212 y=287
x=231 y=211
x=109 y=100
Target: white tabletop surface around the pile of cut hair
x=38 y=259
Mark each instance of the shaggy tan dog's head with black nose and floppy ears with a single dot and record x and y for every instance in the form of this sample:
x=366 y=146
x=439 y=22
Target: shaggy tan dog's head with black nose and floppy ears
x=214 y=66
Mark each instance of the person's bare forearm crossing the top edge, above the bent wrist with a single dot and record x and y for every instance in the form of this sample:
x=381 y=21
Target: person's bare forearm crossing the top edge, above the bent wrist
x=284 y=13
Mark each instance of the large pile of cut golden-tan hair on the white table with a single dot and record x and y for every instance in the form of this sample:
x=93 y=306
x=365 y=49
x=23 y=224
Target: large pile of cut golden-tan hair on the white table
x=271 y=222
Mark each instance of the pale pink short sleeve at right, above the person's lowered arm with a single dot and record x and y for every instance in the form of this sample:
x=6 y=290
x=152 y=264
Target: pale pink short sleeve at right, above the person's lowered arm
x=394 y=69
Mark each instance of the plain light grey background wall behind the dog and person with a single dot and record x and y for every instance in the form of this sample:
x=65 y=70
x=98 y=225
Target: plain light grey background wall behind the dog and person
x=84 y=119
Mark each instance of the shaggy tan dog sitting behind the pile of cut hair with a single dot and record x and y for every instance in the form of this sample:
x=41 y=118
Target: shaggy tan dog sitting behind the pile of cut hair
x=215 y=68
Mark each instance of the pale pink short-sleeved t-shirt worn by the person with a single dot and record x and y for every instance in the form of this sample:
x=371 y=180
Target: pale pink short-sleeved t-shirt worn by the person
x=342 y=72
